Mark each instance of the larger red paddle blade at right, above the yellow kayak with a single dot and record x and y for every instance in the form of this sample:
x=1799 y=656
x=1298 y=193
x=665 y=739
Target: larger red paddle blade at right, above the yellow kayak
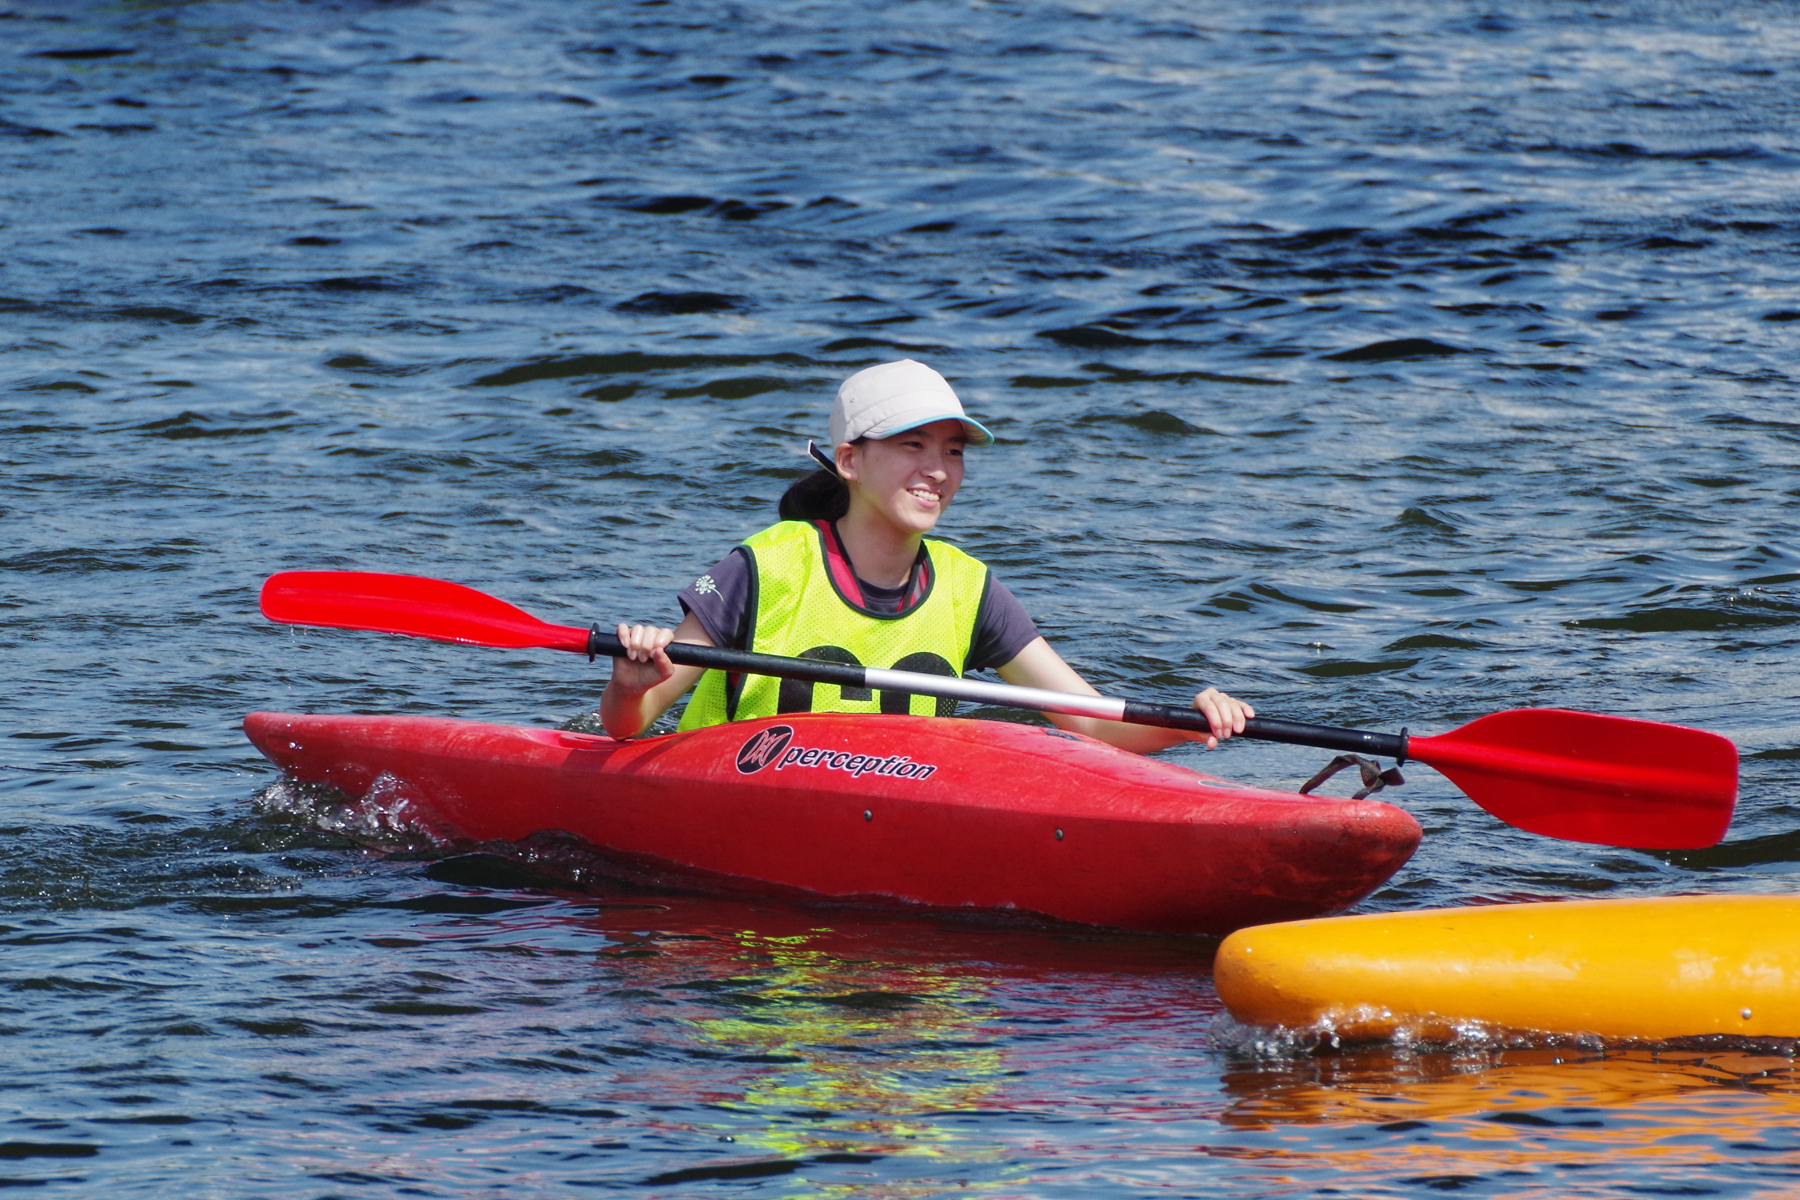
x=1590 y=778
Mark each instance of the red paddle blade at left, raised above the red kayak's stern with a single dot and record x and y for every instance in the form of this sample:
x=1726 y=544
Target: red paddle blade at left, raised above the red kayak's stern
x=413 y=605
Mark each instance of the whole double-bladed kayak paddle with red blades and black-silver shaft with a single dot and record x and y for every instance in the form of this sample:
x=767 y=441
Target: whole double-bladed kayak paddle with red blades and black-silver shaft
x=1576 y=776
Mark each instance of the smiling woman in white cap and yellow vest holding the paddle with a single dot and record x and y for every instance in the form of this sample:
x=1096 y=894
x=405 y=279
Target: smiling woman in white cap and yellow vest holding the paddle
x=849 y=577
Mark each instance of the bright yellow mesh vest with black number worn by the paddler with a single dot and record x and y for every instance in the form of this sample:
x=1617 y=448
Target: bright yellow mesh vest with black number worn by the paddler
x=800 y=611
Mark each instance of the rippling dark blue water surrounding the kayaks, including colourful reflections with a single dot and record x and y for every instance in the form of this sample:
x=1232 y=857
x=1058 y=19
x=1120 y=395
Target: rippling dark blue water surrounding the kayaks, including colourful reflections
x=1385 y=364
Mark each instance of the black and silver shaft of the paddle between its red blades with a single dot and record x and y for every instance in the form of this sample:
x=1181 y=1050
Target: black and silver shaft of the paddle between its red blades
x=1005 y=695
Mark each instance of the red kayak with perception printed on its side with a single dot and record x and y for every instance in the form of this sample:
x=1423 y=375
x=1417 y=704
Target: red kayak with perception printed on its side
x=892 y=810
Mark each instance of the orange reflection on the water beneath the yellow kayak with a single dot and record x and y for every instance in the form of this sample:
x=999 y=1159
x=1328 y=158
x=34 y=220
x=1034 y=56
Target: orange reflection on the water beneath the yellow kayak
x=1515 y=1115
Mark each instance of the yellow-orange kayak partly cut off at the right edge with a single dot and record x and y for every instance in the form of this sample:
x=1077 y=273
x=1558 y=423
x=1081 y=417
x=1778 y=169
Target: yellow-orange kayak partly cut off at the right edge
x=1617 y=969
